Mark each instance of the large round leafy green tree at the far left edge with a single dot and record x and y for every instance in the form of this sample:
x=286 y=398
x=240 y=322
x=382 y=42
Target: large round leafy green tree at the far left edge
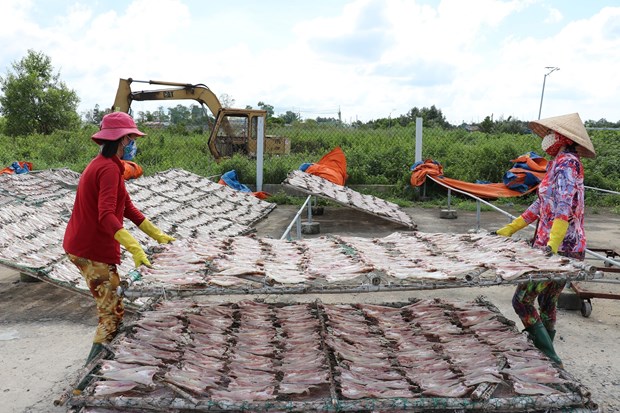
x=35 y=100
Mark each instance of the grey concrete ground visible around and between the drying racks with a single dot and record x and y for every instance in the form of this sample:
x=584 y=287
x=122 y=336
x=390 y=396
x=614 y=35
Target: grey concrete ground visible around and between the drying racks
x=46 y=331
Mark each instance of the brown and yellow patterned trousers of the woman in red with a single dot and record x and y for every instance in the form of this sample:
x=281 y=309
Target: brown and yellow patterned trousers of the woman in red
x=102 y=280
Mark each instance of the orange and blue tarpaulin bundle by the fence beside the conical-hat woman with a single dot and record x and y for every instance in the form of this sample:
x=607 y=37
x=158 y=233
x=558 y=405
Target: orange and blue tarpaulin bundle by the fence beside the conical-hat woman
x=523 y=178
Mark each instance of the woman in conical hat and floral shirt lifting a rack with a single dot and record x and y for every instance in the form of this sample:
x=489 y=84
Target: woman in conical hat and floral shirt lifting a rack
x=559 y=210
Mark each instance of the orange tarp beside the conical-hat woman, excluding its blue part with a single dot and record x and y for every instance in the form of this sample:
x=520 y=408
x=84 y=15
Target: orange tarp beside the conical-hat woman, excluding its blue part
x=491 y=190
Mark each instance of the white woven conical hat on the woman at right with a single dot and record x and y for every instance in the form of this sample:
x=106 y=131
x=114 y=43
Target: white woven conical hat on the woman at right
x=570 y=126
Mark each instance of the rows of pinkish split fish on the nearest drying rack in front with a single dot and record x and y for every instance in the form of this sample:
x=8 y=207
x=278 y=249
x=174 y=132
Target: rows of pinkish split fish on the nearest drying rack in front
x=257 y=352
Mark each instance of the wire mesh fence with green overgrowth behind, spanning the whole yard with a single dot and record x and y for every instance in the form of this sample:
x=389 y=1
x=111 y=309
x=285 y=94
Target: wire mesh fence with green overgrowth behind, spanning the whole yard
x=381 y=156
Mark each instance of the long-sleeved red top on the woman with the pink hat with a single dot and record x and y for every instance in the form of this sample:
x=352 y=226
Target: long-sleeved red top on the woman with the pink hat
x=101 y=202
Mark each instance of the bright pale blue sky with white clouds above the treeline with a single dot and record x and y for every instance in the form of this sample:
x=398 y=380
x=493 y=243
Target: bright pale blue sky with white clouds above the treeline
x=369 y=58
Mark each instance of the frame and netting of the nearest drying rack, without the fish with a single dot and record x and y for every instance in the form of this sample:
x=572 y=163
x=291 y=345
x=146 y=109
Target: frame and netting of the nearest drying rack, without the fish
x=327 y=396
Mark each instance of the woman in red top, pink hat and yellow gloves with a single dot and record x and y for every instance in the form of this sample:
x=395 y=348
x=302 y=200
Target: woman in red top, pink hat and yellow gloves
x=95 y=230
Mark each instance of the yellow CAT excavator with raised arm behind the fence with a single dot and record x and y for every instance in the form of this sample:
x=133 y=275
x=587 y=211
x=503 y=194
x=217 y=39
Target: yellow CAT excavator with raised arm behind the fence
x=234 y=130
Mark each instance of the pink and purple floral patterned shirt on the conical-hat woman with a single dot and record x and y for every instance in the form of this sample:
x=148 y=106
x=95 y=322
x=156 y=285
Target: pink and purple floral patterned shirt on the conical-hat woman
x=560 y=196
